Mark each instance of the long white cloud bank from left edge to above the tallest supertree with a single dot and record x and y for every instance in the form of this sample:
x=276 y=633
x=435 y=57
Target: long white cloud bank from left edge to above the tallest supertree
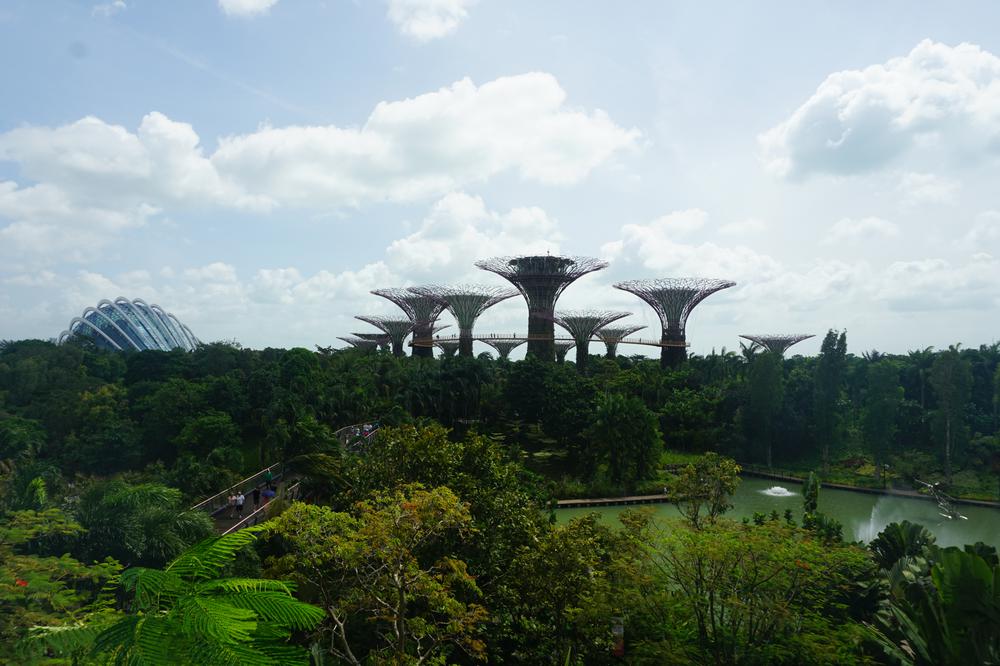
x=95 y=179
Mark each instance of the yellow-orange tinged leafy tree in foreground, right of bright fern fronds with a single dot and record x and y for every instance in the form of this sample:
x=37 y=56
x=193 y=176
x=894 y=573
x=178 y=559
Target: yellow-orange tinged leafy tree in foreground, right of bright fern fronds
x=383 y=579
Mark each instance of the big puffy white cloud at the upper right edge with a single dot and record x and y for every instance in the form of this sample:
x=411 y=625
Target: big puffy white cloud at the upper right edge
x=937 y=97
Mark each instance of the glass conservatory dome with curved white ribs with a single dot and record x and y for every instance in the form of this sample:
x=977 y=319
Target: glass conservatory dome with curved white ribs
x=125 y=325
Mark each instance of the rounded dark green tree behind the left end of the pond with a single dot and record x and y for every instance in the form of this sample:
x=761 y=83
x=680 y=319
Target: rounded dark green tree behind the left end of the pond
x=628 y=436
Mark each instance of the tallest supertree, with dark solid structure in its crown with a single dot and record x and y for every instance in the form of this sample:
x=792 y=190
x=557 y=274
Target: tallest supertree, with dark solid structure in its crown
x=541 y=279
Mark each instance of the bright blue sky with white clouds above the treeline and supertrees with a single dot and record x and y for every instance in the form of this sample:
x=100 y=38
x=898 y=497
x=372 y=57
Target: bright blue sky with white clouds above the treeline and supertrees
x=256 y=167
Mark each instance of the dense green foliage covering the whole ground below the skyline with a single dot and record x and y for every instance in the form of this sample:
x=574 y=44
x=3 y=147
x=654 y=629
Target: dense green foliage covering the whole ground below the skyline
x=435 y=542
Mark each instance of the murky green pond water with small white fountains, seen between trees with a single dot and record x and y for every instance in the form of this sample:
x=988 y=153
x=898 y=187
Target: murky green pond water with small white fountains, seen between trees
x=863 y=515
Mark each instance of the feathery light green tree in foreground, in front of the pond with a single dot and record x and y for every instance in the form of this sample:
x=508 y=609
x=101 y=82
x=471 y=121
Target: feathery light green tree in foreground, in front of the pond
x=766 y=594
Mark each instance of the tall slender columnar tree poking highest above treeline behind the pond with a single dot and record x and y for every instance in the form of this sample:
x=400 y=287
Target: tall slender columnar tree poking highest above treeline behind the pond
x=828 y=393
